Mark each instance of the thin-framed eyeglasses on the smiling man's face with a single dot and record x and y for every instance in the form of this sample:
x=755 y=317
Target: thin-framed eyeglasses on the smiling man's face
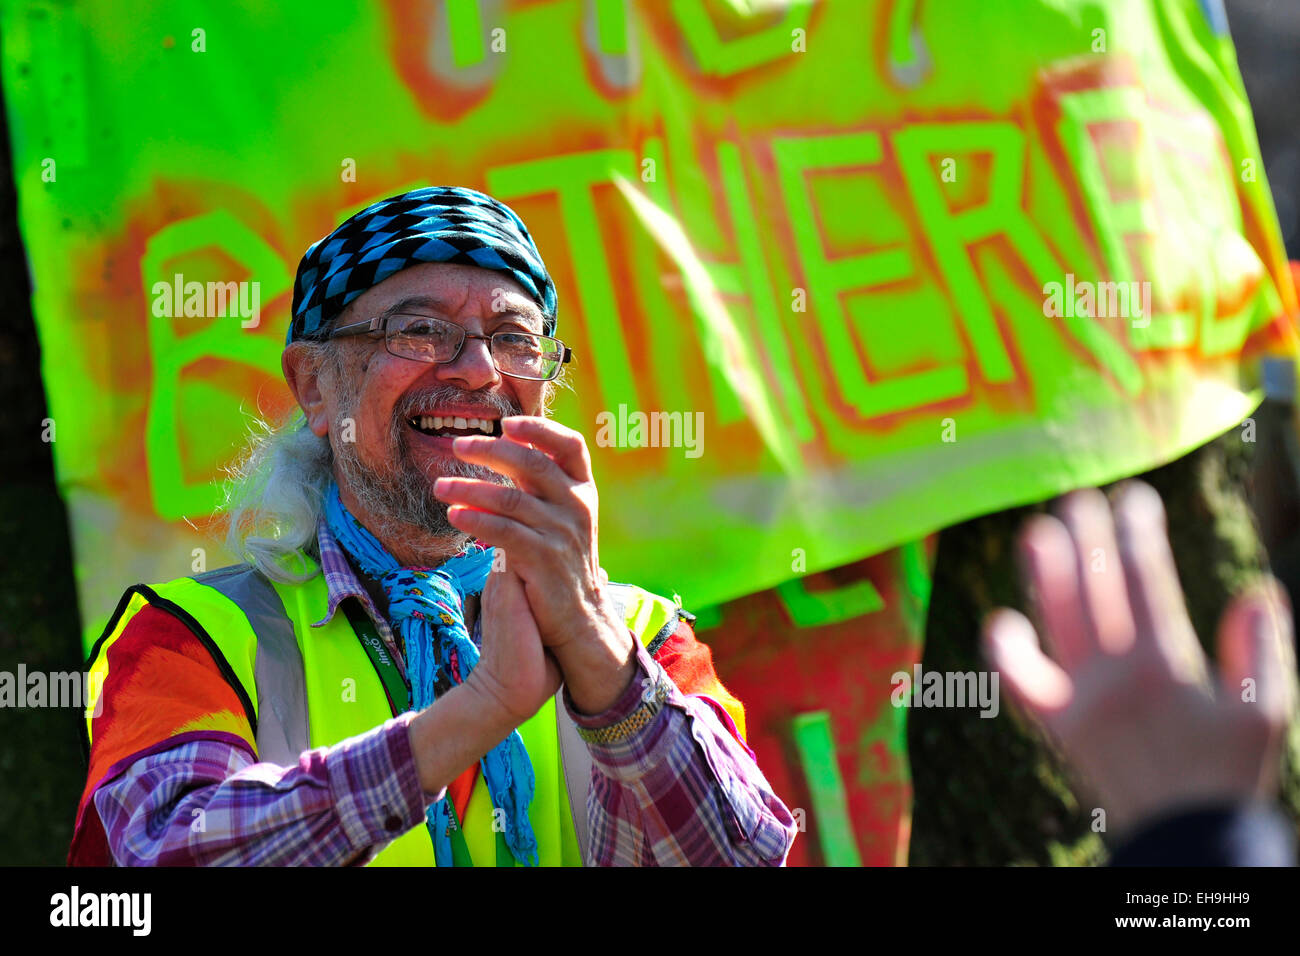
x=424 y=339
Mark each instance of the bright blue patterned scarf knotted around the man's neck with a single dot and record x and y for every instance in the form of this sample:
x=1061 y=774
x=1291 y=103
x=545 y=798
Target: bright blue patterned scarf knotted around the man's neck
x=427 y=608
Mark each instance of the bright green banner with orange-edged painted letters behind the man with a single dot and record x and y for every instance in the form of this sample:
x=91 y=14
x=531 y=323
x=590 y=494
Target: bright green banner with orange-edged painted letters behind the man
x=837 y=275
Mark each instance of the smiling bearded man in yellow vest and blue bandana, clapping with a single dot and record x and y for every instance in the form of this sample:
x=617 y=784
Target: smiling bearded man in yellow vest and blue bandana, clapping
x=379 y=682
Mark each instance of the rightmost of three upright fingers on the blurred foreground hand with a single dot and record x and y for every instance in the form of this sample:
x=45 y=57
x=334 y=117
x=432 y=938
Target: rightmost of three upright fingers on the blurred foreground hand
x=1155 y=592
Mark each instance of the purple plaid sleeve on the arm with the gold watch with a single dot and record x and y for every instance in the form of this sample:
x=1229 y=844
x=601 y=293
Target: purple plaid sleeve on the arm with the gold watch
x=681 y=791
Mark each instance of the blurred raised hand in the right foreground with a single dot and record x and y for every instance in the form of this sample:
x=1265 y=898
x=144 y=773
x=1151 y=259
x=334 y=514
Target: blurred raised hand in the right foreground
x=1129 y=698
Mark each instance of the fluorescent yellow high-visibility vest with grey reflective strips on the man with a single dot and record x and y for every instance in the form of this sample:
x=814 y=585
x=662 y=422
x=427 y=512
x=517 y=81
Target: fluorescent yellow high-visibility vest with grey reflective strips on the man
x=315 y=687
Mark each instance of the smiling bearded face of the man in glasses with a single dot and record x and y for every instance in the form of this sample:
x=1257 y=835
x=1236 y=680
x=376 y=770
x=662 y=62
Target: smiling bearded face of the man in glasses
x=395 y=403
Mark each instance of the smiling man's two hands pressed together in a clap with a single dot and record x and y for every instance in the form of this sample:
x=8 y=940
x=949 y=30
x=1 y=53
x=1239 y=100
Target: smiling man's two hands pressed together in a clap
x=548 y=617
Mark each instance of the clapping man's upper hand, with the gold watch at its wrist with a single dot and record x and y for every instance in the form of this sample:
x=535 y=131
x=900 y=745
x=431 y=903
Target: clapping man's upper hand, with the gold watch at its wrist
x=549 y=527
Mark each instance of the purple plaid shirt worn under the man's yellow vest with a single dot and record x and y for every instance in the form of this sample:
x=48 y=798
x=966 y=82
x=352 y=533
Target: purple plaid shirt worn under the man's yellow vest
x=679 y=791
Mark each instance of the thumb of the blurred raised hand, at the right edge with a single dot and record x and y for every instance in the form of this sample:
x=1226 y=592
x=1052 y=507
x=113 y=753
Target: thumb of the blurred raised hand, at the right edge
x=1255 y=646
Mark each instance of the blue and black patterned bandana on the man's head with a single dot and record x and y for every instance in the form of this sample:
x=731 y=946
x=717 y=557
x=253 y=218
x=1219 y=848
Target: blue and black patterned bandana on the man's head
x=437 y=224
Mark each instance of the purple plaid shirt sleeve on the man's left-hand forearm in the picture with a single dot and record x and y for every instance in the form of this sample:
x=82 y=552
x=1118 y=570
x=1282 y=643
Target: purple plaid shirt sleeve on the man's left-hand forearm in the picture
x=207 y=803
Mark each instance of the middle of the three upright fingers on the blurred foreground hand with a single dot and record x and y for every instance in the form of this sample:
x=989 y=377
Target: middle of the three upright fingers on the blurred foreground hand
x=1111 y=622
